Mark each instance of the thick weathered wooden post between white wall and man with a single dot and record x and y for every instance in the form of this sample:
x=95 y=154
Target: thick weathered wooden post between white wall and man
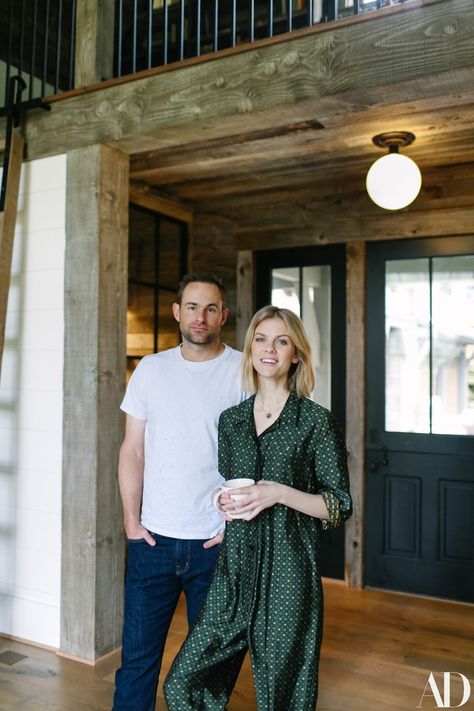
x=94 y=379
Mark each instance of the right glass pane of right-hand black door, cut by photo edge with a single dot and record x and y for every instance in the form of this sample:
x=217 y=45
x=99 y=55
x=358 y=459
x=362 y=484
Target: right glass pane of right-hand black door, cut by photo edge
x=453 y=345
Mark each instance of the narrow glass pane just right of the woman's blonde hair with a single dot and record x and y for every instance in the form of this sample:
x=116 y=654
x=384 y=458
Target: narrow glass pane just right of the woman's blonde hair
x=317 y=321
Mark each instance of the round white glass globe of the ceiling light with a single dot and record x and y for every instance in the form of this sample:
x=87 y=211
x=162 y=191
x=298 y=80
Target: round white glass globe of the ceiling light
x=393 y=181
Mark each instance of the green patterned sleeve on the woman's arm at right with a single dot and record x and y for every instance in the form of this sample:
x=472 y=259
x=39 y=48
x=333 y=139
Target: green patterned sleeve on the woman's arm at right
x=331 y=472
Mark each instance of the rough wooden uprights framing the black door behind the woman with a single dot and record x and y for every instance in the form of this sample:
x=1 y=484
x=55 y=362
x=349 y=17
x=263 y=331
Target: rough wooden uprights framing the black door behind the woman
x=355 y=388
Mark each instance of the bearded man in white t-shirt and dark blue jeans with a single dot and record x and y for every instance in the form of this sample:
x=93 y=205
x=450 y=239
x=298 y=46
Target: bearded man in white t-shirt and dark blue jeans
x=167 y=469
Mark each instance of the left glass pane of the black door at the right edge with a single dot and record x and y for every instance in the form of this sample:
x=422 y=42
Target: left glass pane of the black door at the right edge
x=407 y=346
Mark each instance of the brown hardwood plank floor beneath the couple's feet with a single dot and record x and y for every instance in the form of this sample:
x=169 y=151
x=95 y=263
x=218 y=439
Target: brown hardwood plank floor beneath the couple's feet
x=378 y=651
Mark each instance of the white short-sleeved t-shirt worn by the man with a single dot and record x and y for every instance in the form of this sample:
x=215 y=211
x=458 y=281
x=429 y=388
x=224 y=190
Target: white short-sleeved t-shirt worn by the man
x=181 y=401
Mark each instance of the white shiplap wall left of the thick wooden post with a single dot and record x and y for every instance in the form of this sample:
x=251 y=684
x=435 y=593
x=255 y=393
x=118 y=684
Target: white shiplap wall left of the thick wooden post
x=31 y=397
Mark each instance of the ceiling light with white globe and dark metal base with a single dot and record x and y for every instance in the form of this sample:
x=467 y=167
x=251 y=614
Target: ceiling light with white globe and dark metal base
x=394 y=180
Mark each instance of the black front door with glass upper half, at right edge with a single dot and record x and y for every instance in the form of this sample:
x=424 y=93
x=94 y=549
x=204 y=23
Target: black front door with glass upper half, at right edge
x=420 y=417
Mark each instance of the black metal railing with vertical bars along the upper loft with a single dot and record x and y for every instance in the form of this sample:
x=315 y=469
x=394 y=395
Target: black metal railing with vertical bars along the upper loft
x=37 y=37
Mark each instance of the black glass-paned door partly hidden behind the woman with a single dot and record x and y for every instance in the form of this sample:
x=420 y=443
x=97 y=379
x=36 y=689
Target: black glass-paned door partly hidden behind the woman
x=311 y=282
